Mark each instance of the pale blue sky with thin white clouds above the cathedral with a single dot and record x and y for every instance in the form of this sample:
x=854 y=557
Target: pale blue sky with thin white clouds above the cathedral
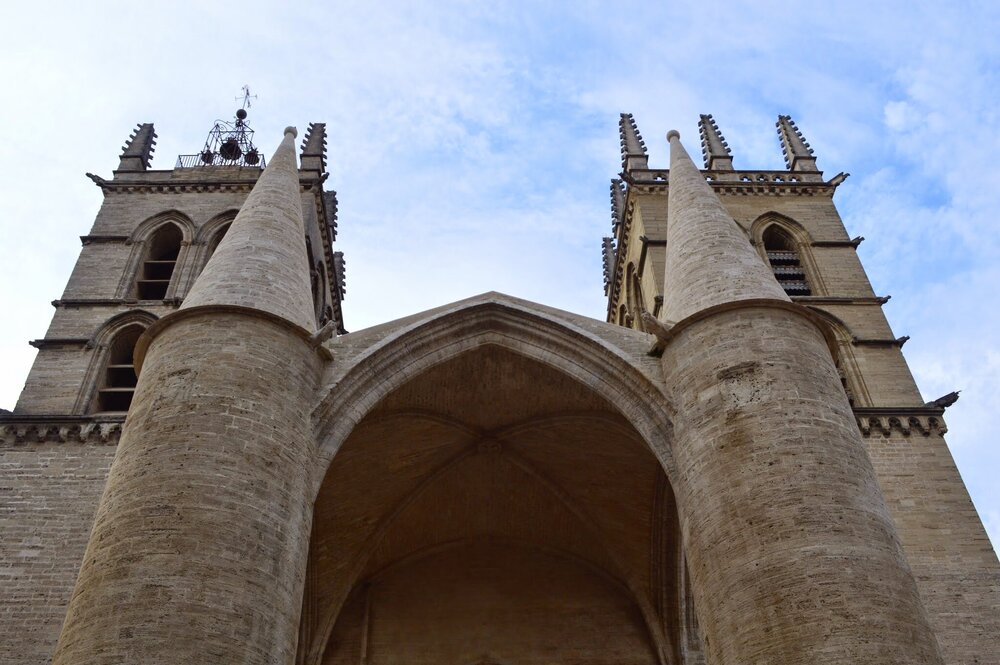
x=471 y=145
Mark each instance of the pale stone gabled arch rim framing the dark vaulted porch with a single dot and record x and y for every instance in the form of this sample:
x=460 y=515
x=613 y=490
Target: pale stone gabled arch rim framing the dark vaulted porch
x=359 y=384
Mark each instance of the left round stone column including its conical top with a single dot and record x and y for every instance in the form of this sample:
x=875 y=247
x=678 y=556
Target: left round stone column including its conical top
x=199 y=546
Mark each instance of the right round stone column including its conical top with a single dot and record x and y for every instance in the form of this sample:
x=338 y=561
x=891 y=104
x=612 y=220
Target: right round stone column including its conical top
x=792 y=552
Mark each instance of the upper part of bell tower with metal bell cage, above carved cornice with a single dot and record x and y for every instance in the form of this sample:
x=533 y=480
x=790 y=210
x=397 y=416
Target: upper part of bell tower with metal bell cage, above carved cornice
x=153 y=235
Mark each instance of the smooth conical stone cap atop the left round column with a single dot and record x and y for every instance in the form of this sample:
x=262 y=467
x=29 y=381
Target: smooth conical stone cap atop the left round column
x=261 y=262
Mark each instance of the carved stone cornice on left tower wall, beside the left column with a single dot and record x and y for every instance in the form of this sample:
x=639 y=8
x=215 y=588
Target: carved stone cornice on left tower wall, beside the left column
x=25 y=430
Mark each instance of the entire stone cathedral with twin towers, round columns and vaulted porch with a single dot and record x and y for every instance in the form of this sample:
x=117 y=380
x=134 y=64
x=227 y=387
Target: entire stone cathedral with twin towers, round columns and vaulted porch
x=733 y=466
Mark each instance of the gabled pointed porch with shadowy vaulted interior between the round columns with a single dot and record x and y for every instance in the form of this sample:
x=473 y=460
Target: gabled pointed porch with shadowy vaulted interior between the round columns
x=494 y=471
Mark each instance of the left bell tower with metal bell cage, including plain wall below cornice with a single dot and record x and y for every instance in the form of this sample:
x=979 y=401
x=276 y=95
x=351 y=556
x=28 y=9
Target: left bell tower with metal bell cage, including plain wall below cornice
x=154 y=235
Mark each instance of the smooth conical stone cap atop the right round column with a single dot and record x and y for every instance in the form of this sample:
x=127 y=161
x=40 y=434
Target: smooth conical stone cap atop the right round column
x=709 y=258
